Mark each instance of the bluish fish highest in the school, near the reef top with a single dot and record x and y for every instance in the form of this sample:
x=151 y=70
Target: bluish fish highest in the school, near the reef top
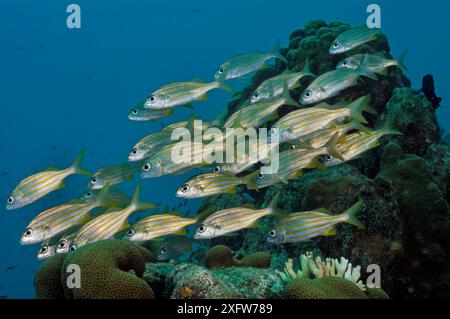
x=353 y=38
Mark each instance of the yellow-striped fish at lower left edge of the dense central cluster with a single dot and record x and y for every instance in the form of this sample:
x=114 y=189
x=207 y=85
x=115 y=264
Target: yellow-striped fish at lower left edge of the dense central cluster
x=210 y=184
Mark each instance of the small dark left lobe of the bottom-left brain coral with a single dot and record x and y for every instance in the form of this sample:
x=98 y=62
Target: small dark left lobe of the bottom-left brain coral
x=47 y=280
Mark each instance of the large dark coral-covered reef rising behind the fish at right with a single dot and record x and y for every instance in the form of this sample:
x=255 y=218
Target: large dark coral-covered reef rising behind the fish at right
x=404 y=183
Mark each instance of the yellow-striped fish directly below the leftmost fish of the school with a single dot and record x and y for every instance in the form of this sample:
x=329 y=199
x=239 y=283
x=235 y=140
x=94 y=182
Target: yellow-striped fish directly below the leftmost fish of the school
x=58 y=219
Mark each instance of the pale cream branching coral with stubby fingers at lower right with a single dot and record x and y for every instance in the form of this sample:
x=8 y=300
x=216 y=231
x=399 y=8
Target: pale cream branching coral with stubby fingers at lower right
x=317 y=268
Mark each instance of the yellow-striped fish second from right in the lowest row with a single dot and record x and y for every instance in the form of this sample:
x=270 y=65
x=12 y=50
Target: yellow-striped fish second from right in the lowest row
x=230 y=220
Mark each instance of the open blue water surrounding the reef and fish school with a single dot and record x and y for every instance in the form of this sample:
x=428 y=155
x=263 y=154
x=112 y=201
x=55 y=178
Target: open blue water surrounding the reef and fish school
x=63 y=89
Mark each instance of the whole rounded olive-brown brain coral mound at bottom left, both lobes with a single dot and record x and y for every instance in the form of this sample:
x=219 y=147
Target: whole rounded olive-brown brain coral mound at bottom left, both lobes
x=110 y=269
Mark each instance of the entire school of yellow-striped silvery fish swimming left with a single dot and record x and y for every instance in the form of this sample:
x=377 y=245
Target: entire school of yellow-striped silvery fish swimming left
x=319 y=135
